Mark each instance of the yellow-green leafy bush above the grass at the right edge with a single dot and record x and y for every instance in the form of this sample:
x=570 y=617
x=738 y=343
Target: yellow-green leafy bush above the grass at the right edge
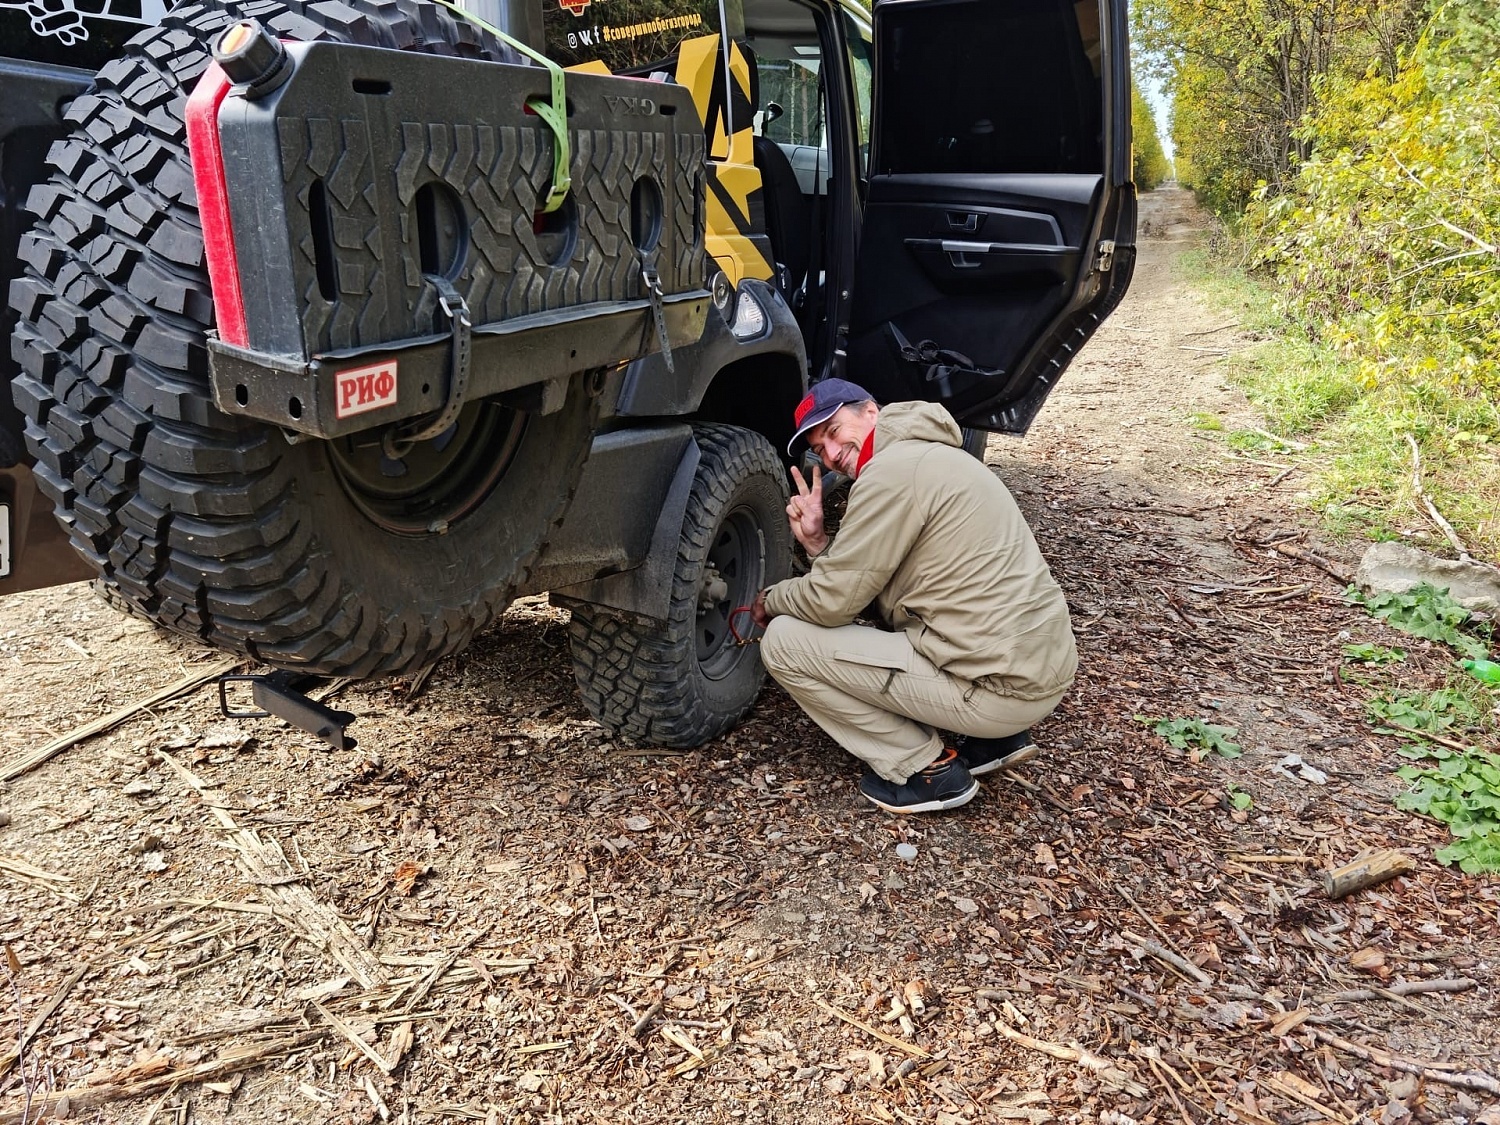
x=1388 y=244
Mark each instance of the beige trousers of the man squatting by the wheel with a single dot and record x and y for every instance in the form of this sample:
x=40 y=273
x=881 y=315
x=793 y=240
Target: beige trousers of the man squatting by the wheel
x=881 y=700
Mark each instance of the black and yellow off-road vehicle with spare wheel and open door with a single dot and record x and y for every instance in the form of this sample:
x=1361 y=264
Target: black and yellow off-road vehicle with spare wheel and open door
x=932 y=200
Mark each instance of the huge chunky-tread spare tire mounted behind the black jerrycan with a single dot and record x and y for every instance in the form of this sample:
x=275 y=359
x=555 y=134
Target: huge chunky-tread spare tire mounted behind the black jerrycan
x=212 y=526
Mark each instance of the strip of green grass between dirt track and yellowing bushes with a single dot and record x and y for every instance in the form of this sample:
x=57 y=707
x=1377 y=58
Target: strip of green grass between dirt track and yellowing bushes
x=1360 y=469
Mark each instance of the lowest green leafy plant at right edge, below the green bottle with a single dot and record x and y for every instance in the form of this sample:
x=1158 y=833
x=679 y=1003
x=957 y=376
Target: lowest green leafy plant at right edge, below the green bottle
x=1463 y=791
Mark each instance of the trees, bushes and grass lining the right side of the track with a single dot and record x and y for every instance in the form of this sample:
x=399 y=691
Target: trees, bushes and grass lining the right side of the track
x=1349 y=151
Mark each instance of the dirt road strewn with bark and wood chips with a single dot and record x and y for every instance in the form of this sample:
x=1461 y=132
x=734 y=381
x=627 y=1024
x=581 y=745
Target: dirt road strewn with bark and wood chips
x=490 y=911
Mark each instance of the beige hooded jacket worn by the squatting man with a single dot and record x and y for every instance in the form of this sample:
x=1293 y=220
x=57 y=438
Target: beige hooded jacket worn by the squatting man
x=938 y=542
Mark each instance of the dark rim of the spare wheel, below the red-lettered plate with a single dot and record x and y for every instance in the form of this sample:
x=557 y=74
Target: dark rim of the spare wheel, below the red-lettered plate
x=434 y=484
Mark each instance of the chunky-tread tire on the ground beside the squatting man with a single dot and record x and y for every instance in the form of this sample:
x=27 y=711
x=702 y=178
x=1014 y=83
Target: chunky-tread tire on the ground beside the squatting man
x=647 y=682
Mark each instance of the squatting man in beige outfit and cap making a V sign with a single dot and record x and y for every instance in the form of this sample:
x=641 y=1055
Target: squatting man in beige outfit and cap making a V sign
x=979 y=638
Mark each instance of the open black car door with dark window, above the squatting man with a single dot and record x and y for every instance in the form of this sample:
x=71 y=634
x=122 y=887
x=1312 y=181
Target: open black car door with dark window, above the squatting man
x=1000 y=221
